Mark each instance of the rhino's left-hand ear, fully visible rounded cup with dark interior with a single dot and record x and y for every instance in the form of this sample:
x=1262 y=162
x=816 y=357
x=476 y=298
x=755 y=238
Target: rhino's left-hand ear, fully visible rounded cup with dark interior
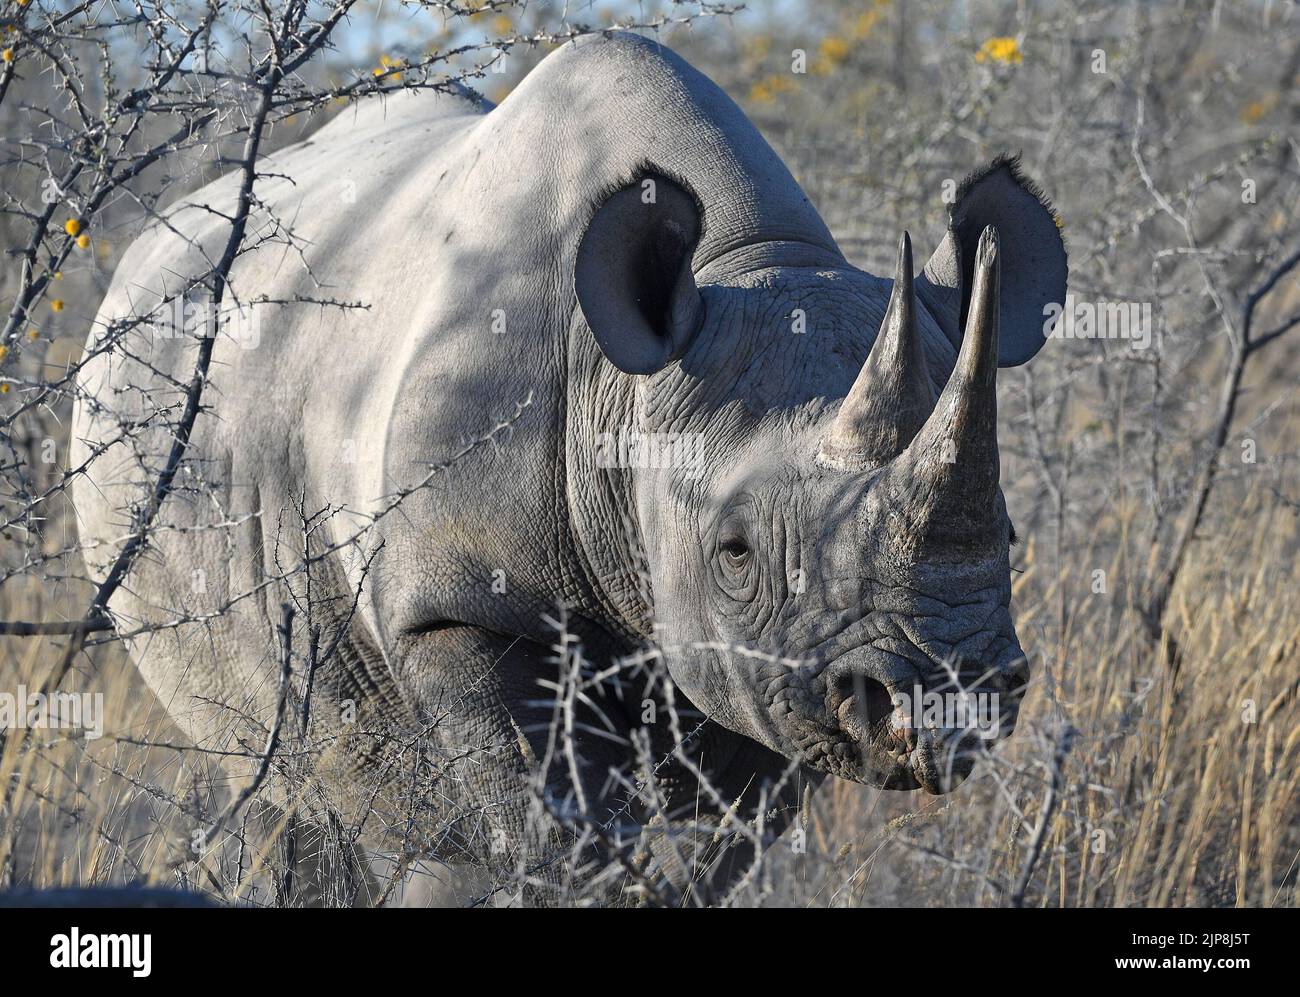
x=634 y=278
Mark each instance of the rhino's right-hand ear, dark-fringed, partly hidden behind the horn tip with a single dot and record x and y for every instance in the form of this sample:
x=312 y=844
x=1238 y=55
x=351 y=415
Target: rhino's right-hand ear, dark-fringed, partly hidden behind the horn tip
x=1032 y=252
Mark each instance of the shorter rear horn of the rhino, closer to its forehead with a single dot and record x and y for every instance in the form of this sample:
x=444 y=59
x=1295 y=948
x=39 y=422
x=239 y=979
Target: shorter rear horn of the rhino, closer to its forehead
x=892 y=396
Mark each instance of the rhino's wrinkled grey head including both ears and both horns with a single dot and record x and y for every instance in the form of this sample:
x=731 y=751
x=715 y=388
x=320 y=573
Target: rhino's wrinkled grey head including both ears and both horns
x=829 y=571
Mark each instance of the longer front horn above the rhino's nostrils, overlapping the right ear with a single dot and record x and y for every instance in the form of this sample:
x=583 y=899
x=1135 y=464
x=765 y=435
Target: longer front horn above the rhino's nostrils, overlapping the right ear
x=947 y=482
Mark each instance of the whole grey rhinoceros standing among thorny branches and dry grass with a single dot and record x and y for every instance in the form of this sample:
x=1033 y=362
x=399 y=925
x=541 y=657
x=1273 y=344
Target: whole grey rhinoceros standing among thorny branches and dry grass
x=476 y=311
